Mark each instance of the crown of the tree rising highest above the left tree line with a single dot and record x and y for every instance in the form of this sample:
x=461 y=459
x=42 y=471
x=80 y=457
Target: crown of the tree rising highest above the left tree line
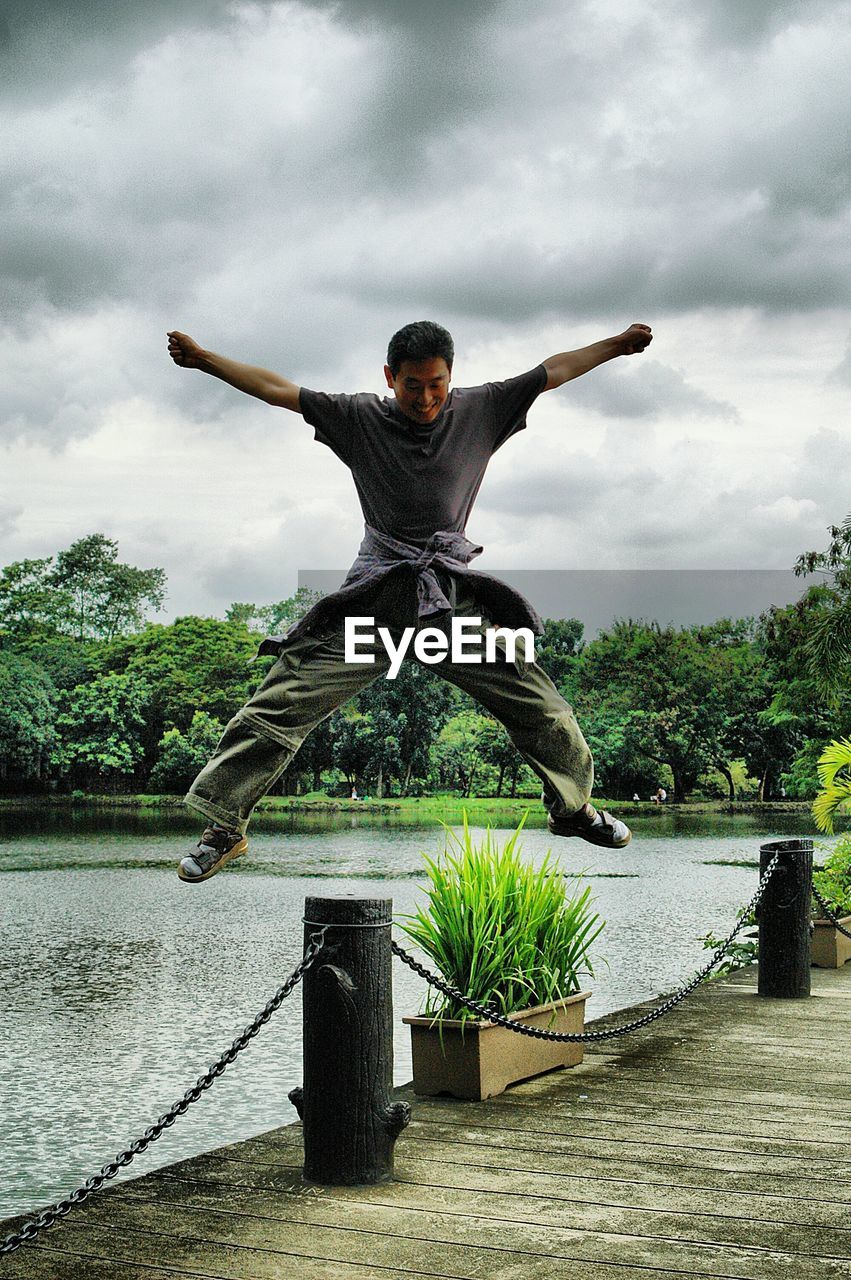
x=107 y=597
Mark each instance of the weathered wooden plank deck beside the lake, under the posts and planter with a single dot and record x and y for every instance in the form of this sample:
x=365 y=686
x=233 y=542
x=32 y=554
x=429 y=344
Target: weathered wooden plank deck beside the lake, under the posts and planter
x=716 y=1142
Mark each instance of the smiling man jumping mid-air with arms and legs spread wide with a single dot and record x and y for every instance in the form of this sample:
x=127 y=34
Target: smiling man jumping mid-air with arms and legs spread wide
x=418 y=461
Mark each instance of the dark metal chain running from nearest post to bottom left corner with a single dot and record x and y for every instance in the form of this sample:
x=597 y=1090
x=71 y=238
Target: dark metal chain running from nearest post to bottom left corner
x=30 y=1231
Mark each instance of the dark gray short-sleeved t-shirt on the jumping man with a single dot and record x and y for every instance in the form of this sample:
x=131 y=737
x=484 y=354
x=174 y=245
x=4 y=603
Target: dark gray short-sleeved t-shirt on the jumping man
x=415 y=481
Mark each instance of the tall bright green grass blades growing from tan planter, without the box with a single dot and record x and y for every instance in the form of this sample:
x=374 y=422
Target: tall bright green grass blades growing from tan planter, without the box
x=507 y=934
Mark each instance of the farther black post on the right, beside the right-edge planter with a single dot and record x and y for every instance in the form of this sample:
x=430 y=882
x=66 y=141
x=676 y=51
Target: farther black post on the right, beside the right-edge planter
x=785 y=921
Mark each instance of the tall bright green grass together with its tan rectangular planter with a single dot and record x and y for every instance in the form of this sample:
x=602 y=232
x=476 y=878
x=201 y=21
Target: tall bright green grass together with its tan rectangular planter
x=514 y=938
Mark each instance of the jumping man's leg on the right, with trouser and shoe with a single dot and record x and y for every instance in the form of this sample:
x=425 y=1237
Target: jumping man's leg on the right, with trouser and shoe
x=545 y=730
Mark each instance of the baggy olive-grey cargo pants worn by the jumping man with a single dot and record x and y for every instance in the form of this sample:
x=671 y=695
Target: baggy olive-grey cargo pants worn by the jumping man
x=312 y=680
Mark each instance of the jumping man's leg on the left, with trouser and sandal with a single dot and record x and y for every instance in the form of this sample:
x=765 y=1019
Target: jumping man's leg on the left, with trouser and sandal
x=308 y=683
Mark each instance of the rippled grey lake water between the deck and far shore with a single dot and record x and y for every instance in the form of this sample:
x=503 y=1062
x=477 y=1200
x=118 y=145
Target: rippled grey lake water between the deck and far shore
x=121 y=985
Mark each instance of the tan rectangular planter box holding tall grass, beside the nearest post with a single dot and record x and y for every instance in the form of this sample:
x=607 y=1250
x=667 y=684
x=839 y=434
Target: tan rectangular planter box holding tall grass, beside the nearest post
x=483 y=1059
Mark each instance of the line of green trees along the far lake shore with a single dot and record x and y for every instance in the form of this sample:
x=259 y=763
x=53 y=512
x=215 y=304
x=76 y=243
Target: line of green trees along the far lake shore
x=98 y=698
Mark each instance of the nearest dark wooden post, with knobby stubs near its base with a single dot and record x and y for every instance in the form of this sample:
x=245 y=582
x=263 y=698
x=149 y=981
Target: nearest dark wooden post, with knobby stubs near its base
x=350 y=1123
